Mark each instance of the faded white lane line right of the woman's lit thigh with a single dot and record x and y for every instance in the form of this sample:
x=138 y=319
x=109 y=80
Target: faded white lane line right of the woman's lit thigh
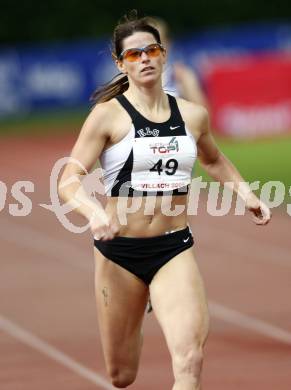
x=244 y=321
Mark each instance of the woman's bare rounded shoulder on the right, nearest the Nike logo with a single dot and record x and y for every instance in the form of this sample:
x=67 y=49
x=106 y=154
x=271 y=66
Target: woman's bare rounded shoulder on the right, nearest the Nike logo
x=195 y=116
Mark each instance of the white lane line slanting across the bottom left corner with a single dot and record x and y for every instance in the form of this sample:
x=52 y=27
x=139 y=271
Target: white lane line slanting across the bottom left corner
x=55 y=354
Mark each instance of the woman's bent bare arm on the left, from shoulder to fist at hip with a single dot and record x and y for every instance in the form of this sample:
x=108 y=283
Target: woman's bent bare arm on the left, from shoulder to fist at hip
x=87 y=149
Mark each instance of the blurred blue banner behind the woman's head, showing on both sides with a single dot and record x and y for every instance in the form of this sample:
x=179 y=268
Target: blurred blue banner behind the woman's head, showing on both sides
x=65 y=75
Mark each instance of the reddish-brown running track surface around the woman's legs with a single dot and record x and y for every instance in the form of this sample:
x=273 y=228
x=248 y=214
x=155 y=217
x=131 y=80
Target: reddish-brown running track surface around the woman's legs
x=48 y=325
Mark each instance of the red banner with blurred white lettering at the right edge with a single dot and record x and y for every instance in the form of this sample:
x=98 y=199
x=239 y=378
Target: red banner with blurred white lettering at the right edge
x=250 y=96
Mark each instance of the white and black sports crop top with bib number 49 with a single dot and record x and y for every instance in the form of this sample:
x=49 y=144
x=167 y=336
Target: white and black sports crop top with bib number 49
x=152 y=159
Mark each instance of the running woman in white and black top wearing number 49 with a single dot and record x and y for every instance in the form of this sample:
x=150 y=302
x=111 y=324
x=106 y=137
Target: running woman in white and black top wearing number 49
x=147 y=142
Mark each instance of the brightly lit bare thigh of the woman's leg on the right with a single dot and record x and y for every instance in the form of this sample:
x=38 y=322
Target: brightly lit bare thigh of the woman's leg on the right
x=179 y=302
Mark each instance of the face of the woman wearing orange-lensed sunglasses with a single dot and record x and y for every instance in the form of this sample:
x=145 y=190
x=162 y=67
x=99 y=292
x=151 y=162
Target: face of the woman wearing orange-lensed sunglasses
x=147 y=70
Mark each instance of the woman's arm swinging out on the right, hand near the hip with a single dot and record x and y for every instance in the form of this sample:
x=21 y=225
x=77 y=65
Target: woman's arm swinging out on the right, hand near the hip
x=218 y=166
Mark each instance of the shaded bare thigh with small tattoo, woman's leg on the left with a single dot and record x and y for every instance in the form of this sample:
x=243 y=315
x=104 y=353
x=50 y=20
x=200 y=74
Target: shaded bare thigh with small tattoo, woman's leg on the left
x=121 y=300
